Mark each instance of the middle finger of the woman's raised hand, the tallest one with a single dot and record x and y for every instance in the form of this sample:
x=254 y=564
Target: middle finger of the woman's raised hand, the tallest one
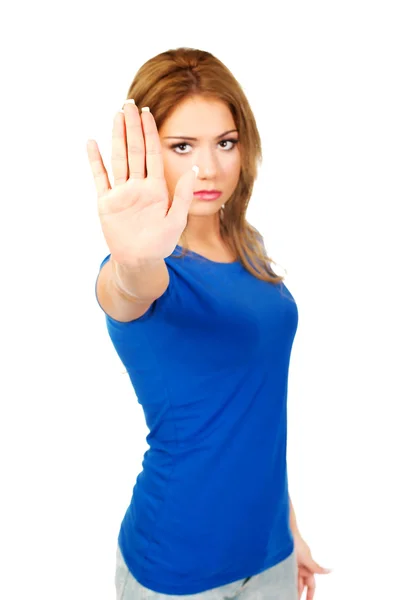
x=134 y=140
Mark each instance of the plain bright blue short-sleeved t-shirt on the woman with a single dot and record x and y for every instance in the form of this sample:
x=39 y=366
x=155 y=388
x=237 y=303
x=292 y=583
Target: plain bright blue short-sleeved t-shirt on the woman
x=209 y=364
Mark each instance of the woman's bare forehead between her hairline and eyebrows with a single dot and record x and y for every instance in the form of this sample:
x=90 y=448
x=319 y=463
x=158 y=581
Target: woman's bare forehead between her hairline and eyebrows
x=201 y=116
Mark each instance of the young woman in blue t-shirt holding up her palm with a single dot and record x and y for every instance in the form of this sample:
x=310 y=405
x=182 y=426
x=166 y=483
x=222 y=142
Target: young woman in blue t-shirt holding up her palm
x=205 y=329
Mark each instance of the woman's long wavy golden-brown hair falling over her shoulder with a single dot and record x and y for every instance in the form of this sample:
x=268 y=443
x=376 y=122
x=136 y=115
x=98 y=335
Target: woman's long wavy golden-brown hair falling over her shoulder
x=172 y=76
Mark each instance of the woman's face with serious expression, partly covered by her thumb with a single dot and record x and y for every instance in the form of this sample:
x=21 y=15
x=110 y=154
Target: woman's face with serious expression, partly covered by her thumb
x=214 y=148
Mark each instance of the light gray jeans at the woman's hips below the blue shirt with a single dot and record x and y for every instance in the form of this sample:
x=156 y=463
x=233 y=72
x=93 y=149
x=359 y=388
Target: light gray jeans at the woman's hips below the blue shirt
x=277 y=583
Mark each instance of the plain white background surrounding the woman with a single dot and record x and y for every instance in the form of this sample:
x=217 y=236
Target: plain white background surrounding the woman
x=323 y=81
